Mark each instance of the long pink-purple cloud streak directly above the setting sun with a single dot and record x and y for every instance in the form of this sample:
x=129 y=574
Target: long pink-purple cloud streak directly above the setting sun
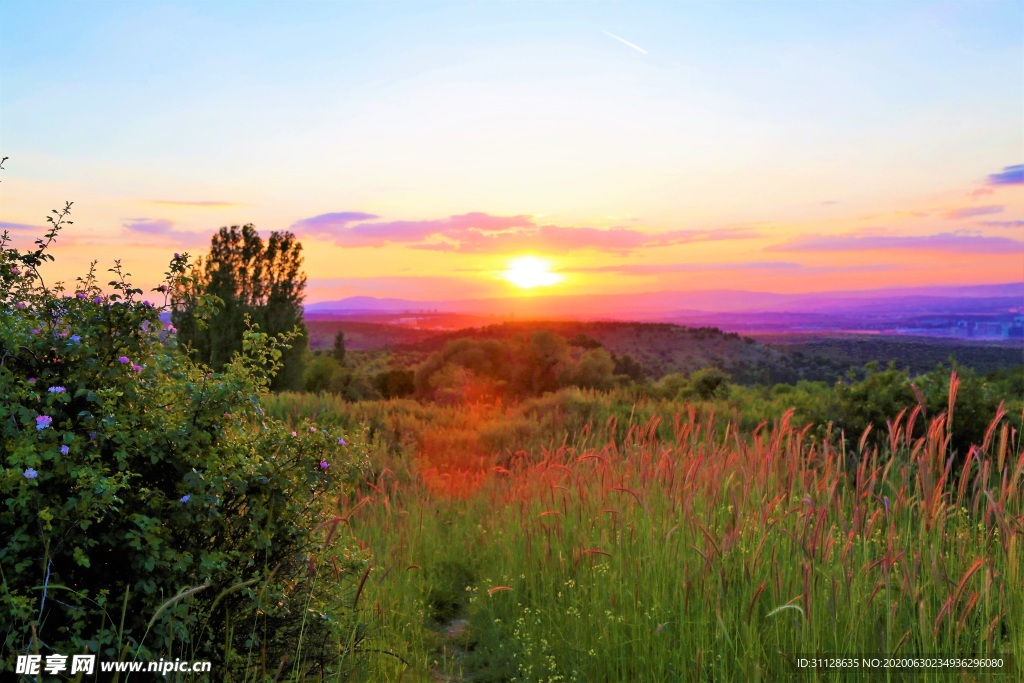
x=482 y=233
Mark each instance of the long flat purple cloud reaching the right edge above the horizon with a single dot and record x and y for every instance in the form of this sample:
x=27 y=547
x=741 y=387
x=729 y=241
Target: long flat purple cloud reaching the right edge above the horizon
x=960 y=242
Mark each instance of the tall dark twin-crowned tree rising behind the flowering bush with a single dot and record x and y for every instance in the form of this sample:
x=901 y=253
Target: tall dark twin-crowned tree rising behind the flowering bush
x=251 y=280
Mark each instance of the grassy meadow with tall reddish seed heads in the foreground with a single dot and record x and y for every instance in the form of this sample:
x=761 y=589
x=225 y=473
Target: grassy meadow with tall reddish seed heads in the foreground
x=593 y=537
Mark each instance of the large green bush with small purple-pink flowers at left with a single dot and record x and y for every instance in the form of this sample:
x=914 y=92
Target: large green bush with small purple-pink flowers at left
x=150 y=507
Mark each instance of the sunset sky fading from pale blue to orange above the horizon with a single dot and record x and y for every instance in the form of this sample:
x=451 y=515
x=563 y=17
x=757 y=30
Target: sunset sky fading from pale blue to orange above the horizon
x=418 y=148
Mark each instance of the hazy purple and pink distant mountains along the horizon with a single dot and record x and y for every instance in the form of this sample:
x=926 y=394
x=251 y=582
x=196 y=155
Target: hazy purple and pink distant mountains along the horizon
x=984 y=312
